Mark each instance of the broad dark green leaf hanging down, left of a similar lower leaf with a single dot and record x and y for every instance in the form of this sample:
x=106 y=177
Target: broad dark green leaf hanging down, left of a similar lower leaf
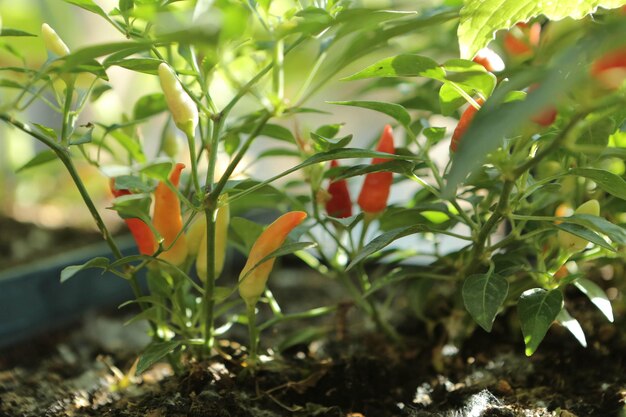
x=483 y=295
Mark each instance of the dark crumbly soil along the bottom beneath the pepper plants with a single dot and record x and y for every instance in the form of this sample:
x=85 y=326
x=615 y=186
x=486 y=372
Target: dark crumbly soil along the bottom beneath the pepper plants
x=87 y=371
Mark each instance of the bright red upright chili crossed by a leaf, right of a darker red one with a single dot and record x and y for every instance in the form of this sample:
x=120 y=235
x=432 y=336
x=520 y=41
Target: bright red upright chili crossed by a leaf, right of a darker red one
x=376 y=187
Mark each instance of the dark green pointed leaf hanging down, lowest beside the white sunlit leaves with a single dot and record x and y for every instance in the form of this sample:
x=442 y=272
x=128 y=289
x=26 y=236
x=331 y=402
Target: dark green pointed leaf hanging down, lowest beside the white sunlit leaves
x=537 y=309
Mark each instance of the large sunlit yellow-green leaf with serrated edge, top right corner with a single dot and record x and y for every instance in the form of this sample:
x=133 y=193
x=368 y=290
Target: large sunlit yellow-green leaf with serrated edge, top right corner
x=480 y=19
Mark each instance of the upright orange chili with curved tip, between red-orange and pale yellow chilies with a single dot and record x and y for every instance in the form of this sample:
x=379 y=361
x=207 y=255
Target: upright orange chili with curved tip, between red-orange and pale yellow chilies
x=168 y=221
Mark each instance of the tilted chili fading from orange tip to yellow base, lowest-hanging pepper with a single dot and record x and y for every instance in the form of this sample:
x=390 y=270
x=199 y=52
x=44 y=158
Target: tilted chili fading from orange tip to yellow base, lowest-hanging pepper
x=253 y=277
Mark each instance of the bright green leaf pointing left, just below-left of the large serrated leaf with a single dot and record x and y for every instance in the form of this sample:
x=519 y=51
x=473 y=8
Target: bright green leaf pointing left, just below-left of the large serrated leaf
x=404 y=65
